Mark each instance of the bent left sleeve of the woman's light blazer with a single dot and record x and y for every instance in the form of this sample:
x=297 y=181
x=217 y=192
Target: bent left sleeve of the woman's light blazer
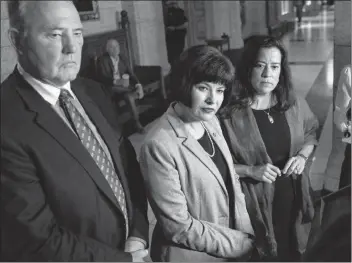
x=170 y=207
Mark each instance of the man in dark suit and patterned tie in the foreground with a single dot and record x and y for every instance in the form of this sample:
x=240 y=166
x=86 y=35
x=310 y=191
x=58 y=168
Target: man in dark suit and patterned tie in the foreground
x=69 y=182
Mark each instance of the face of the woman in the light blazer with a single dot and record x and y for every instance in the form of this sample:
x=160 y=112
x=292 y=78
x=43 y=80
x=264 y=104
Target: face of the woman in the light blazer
x=207 y=98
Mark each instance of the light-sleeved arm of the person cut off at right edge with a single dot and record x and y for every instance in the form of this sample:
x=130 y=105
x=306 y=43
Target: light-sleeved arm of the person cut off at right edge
x=342 y=99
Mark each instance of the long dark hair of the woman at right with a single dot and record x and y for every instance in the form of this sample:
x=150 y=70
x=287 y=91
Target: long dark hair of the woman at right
x=244 y=92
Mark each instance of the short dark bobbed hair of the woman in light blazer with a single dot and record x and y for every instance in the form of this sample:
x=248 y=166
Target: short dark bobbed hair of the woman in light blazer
x=198 y=64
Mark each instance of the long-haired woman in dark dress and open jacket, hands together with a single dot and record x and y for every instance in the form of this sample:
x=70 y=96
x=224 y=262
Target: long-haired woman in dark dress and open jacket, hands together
x=271 y=133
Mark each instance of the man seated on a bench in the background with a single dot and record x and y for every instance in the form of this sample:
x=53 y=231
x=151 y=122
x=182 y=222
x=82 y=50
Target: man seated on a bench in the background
x=111 y=69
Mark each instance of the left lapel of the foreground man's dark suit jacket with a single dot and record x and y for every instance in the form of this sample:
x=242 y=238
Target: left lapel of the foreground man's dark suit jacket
x=49 y=120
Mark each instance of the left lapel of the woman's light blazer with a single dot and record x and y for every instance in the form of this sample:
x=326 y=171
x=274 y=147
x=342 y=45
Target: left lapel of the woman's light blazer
x=194 y=147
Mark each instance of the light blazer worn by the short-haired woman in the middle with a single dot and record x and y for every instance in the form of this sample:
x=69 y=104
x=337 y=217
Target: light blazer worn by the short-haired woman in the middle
x=188 y=195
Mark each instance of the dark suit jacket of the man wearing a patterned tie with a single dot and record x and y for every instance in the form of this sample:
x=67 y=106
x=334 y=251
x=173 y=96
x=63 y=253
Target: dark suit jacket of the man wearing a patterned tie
x=55 y=203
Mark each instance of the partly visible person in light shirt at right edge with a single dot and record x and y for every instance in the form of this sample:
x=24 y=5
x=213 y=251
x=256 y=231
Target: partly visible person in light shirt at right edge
x=342 y=120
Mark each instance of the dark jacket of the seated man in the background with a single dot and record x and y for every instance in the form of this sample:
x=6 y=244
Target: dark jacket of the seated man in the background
x=105 y=70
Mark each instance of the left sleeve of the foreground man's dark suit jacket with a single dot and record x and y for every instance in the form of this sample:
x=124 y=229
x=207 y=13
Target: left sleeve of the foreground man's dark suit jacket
x=28 y=224
